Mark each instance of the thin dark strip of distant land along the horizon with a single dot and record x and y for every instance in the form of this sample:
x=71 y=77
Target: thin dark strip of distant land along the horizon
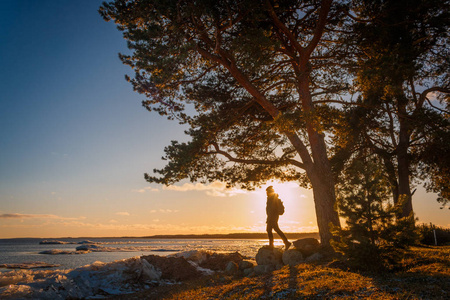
x=192 y=236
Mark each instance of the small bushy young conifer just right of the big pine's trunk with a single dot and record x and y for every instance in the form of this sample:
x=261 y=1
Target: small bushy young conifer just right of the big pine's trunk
x=372 y=234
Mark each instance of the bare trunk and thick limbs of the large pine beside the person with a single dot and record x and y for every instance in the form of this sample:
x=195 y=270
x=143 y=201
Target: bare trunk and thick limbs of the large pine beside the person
x=316 y=162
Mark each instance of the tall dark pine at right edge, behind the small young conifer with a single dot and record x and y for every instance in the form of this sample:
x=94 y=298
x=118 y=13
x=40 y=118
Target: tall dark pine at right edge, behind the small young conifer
x=401 y=65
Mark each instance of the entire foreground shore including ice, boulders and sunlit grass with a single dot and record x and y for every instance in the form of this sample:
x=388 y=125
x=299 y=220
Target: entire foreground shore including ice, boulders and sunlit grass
x=302 y=272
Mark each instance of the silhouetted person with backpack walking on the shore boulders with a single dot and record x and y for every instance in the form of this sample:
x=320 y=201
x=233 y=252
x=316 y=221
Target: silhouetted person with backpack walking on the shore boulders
x=272 y=217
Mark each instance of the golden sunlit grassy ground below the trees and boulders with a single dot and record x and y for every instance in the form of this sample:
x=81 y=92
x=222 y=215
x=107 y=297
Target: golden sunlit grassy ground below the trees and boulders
x=424 y=273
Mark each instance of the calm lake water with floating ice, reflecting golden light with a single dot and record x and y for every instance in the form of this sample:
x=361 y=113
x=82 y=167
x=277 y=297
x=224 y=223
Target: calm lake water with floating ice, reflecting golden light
x=16 y=251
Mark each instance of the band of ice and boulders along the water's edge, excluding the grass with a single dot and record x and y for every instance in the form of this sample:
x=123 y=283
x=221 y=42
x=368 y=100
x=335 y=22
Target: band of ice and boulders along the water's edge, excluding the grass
x=146 y=272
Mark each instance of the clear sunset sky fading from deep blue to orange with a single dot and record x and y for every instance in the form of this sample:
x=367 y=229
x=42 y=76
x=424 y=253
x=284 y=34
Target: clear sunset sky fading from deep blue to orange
x=76 y=142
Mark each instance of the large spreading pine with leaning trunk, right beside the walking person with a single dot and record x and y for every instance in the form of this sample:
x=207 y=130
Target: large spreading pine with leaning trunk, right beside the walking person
x=252 y=71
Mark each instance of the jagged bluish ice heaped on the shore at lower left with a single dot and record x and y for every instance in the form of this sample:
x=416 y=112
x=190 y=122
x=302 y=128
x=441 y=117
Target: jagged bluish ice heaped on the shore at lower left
x=92 y=281
